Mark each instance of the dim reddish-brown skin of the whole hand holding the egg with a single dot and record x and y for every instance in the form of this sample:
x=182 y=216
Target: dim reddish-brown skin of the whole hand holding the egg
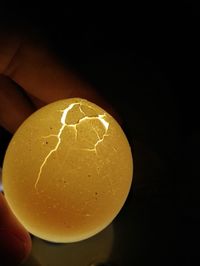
x=30 y=77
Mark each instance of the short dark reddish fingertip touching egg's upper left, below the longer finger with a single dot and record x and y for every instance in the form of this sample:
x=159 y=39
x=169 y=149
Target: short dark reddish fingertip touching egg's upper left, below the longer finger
x=14 y=105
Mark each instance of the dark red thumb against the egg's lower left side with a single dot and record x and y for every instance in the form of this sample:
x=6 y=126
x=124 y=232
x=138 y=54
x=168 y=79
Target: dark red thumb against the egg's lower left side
x=15 y=242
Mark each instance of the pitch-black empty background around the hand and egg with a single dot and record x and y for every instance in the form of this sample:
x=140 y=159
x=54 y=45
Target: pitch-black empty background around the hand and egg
x=144 y=59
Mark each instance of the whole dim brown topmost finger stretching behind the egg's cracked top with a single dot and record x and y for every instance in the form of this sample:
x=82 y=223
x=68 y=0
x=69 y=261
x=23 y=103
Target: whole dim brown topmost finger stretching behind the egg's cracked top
x=37 y=71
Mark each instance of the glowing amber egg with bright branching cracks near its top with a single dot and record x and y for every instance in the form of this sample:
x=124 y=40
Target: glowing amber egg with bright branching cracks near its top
x=67 y=171
